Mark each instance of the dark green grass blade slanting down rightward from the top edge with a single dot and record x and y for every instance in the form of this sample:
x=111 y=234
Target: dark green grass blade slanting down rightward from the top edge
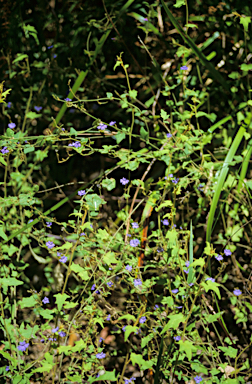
x=214 y=73
